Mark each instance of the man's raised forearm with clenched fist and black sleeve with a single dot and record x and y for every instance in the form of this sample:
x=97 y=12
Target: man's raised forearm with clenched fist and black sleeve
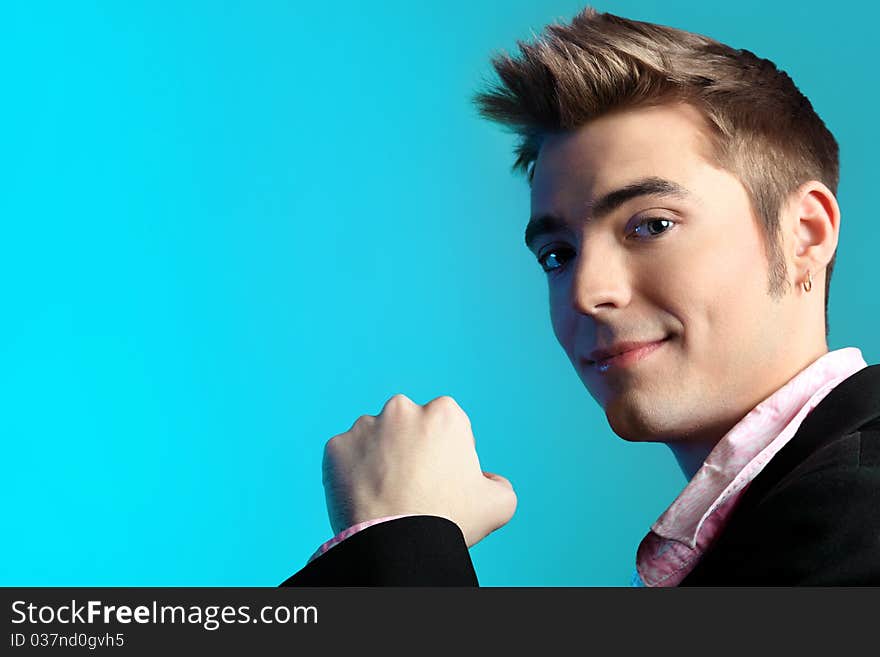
x=415 y=461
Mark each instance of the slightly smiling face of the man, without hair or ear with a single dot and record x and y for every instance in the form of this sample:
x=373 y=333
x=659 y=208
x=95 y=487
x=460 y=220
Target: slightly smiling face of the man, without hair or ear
x=690 y=267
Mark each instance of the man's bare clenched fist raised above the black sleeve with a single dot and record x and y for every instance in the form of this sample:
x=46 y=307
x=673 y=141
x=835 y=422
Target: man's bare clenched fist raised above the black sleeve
x=414 y=459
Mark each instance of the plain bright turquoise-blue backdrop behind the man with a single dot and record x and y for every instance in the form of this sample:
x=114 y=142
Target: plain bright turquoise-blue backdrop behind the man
x=229 y=229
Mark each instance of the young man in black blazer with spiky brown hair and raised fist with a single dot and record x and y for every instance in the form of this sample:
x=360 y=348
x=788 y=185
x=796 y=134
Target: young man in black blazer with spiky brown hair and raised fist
x=683 y=207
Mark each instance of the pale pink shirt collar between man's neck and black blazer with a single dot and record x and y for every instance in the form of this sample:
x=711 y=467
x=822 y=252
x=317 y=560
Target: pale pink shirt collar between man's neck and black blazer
x=686 y=529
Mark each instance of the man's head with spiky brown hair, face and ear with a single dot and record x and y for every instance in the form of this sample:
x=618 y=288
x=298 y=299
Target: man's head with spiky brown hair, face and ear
x=736 y=177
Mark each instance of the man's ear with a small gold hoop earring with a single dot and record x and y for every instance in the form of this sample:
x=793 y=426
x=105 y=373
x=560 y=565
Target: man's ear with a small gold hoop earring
x=814 y=228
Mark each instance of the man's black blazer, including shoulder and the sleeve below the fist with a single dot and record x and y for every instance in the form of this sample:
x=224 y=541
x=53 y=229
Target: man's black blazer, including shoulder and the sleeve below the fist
x=810 y=517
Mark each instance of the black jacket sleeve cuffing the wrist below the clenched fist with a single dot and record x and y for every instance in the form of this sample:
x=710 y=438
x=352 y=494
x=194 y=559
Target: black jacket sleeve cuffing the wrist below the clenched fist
x=409 y=551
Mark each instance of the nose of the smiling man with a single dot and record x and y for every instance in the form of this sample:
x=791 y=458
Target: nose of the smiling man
x=600 y=281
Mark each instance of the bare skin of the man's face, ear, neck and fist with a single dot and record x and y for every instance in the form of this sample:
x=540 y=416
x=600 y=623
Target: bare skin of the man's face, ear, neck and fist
x=701 y=277
